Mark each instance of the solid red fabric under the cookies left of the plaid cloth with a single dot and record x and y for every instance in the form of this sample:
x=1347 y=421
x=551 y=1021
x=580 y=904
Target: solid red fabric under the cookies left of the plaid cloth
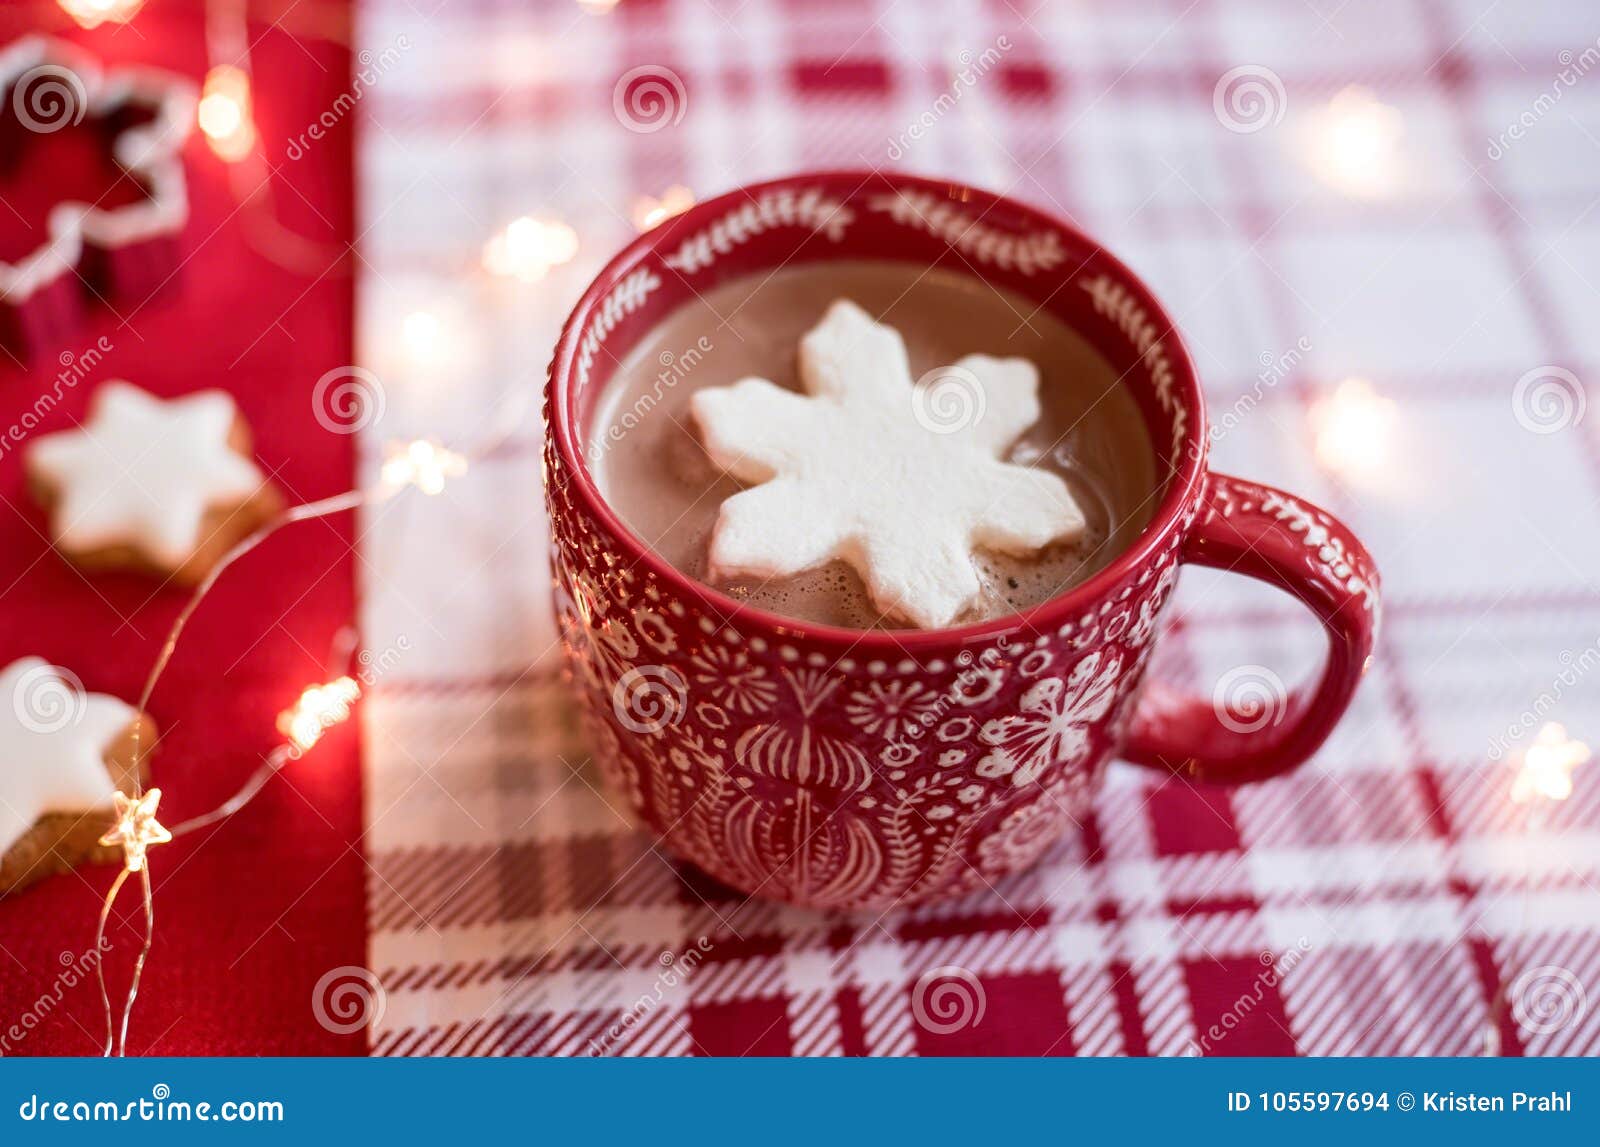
x=252 y=913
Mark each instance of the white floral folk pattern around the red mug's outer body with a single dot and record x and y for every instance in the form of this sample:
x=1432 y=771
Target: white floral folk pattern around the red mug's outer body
x=849 y=783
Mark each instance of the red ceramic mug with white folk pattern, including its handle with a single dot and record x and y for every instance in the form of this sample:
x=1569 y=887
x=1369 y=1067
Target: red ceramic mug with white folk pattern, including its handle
x=844 y=770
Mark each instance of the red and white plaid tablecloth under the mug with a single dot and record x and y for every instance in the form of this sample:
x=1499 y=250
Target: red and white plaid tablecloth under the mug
x=1388 y=900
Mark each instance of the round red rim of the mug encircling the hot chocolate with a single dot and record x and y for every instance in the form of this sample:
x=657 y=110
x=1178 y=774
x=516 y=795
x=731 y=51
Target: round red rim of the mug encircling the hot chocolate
x=1047 y=617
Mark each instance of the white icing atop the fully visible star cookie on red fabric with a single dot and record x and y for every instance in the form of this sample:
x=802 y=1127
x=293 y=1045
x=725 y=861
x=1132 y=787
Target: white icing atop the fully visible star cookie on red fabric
x=145 y=473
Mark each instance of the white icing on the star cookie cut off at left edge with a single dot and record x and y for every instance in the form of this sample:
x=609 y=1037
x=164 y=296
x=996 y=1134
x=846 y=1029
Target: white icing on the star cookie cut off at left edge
x=54 y=741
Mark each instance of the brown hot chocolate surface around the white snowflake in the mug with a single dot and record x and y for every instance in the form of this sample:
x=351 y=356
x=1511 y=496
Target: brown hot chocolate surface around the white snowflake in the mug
x=652 y=466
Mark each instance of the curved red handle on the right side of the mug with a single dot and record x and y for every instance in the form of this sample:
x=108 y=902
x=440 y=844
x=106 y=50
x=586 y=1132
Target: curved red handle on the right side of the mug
x=1257 y=730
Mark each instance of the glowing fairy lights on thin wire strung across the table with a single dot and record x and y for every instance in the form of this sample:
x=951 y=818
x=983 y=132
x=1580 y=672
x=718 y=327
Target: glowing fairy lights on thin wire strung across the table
x=1356 y=151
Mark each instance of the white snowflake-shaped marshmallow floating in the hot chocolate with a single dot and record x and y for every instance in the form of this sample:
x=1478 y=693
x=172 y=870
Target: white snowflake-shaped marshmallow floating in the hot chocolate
x=854 y=471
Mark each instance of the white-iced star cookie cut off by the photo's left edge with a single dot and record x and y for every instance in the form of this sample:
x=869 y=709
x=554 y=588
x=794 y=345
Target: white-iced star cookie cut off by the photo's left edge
x=63 y=753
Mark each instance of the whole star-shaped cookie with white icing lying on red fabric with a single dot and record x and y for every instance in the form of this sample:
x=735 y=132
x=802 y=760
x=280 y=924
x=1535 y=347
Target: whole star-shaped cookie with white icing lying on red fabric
x=167 y=487
